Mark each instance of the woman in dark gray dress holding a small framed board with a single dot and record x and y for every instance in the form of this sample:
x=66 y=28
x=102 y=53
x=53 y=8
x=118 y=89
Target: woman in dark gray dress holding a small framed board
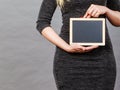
x=77 y=67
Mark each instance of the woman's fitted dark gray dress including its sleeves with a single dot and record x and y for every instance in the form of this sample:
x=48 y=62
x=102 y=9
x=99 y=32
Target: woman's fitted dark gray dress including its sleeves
x=95 y=70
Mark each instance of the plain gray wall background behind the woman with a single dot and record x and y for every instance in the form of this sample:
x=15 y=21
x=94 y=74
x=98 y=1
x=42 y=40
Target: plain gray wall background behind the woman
x=26 y=58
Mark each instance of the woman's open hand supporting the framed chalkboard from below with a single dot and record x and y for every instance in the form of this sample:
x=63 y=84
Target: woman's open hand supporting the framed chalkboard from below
x=76 y=48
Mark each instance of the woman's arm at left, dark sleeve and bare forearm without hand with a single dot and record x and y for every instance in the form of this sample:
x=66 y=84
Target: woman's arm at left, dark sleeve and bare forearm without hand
x=43 y=24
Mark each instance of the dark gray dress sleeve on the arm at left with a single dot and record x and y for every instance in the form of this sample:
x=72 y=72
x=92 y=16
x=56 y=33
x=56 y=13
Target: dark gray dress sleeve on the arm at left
x=45 y=14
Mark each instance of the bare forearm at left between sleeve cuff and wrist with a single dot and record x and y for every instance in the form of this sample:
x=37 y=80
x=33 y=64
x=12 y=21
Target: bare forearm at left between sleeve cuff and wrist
x=51 y=36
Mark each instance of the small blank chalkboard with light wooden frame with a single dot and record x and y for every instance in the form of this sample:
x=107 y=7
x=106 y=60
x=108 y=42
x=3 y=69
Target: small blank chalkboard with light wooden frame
x=87 y=31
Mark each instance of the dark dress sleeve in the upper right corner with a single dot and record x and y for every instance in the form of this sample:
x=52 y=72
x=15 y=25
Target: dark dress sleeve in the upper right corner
x=113 y=4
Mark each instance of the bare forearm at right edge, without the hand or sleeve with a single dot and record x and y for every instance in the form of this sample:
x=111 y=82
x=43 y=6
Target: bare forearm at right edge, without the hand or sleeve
x=113 y=17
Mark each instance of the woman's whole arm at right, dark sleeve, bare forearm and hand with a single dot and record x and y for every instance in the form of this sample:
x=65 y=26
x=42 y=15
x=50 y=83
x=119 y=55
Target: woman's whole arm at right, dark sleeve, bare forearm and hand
x=111 y=10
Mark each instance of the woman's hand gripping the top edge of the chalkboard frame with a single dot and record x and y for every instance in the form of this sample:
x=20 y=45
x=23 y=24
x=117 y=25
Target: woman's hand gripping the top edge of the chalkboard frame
x=95 y=11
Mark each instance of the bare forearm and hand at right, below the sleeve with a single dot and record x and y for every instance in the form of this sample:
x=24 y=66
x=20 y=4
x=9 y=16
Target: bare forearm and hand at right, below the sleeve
x=97 y=10
